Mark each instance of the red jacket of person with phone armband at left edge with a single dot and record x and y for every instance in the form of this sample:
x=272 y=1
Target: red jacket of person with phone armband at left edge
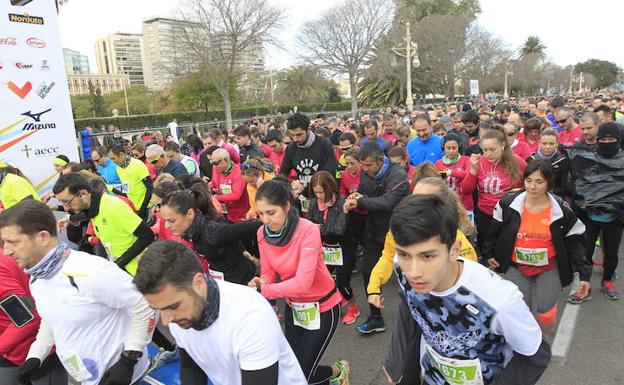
x=14 y=341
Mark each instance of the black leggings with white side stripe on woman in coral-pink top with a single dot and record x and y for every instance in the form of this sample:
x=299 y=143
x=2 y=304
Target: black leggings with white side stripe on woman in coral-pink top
x=310 y=345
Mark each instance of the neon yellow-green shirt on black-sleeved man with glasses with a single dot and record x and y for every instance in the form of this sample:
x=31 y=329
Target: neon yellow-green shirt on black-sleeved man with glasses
x=114 y=225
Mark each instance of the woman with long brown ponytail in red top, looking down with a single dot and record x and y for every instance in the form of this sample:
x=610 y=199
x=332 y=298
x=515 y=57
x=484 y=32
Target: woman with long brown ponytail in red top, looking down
x=493 y=174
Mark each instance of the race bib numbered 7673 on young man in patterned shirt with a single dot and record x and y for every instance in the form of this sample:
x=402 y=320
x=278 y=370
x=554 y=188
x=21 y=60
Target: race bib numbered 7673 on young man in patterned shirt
x=456 y=372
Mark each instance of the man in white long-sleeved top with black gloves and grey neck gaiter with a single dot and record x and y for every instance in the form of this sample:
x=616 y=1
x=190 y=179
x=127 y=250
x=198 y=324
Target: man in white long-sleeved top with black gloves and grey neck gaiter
x=89 y=309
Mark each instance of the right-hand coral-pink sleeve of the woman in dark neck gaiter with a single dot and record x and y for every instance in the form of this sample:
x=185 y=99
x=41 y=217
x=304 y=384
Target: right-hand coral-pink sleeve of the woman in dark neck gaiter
x=304 y=276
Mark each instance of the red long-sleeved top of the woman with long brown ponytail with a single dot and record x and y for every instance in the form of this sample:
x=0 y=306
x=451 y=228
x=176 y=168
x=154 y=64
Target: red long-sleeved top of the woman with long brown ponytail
x=492 y=182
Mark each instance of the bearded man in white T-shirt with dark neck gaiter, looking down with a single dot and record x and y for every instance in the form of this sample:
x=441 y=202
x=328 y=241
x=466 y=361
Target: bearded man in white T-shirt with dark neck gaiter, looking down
x=227 y=333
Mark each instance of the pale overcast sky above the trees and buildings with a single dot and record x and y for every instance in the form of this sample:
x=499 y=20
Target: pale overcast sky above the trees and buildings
x=572 y=30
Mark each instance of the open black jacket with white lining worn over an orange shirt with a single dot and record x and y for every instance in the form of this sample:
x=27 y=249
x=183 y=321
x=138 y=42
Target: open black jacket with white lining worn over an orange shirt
x=568 y=236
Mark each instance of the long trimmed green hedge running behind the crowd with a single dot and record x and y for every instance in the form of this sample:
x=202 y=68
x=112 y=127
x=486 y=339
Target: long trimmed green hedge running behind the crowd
x=160 y=120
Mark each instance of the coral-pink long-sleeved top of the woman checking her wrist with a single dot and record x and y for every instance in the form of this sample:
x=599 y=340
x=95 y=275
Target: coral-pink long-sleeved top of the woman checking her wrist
x=300 y=266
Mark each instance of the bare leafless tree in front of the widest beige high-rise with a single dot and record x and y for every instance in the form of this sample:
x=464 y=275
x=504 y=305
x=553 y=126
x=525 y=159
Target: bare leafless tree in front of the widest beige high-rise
x=219 y=36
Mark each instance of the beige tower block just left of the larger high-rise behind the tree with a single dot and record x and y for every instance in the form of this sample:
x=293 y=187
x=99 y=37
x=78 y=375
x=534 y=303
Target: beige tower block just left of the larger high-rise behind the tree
x=120 y=54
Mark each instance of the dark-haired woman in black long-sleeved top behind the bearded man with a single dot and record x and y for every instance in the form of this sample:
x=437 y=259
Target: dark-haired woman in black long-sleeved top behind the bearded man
x=191 y=214
